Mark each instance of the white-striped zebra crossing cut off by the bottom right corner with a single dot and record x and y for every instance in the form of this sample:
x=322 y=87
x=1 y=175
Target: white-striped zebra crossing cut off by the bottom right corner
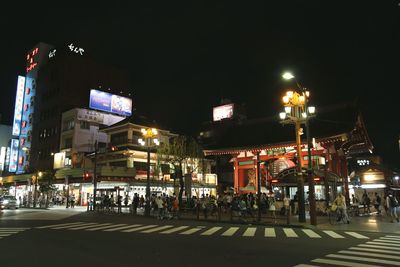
x=383 y=251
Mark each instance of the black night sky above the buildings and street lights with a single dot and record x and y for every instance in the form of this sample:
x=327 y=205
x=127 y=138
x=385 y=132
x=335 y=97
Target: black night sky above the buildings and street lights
x=183 y=58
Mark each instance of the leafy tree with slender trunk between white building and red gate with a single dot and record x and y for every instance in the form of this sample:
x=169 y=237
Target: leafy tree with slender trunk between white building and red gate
x=180 y=150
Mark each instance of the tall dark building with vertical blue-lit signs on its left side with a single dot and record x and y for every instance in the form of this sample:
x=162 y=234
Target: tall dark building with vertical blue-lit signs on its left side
x=57 y=80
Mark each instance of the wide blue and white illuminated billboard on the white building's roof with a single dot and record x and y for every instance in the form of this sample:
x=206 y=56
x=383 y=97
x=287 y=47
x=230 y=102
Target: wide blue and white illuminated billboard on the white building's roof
x=110 y=103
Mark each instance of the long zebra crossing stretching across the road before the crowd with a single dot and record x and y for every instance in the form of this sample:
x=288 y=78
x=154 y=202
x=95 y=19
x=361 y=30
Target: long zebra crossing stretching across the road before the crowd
x=223 y=231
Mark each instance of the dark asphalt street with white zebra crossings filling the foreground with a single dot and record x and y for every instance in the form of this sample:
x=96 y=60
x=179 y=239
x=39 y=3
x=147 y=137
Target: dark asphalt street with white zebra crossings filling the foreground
x=90 y=239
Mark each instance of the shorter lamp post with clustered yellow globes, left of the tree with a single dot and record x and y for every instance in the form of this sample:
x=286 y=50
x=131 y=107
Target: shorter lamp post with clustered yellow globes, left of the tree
x=150 y=138
